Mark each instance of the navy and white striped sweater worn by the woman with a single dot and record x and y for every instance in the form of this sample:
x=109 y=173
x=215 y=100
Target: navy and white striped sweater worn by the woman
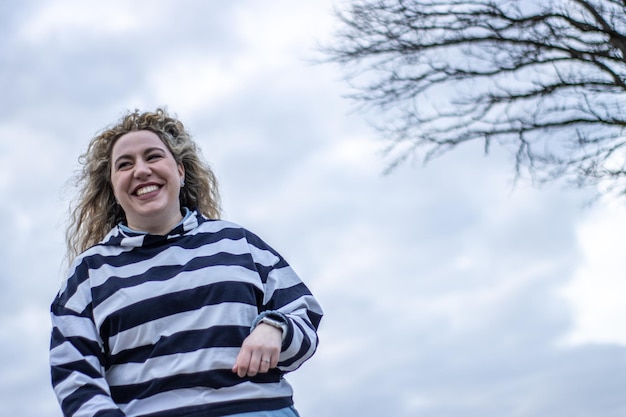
x=150 y=325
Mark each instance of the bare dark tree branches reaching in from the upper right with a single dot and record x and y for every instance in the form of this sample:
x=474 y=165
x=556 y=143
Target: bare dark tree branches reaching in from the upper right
x=544 y=78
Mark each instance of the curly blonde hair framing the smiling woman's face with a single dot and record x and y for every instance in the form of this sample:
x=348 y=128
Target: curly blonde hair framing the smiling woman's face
x=95 y=210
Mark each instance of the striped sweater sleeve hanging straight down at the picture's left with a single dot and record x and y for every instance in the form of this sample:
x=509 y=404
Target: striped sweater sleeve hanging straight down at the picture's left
x=77 y=356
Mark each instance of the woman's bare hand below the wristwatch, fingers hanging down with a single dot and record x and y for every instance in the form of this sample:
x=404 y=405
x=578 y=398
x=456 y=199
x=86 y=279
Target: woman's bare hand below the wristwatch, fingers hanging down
x=259 y=352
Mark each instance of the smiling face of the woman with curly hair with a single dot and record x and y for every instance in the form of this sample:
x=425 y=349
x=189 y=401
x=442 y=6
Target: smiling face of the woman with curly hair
x=146 y=182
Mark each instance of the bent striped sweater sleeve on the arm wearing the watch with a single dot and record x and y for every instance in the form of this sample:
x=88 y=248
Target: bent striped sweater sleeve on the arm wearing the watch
x=285 y=293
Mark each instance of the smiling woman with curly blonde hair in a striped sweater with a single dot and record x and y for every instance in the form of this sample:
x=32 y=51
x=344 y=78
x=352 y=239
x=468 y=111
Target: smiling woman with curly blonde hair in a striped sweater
x=167 y=310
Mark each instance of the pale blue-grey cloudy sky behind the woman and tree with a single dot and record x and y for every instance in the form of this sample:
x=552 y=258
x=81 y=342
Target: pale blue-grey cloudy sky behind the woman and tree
x=448 y=292
